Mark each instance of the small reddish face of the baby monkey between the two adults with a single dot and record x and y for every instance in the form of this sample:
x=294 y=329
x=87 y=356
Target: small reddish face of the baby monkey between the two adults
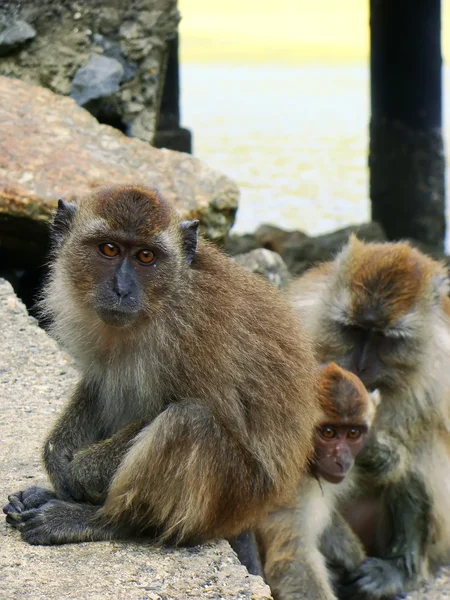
x=336 y=447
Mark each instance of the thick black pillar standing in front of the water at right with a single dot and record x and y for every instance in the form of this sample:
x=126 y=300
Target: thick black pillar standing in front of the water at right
x=406 y=157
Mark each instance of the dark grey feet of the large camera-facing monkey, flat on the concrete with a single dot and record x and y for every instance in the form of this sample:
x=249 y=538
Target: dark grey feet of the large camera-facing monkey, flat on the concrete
x=59 y=522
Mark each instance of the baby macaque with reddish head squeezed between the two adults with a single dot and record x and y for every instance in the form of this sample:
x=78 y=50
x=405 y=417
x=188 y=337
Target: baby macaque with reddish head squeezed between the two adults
x=290 y=538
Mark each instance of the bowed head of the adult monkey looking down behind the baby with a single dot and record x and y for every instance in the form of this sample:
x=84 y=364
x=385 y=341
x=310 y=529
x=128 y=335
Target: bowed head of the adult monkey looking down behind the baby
x=377 y=314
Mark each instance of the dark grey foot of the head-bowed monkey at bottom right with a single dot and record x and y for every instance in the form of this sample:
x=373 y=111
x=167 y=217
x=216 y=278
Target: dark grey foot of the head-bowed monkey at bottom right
x=375 y=578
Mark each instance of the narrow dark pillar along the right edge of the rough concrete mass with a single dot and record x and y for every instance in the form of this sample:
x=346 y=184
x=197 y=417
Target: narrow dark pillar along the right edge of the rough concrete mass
x=169 y=134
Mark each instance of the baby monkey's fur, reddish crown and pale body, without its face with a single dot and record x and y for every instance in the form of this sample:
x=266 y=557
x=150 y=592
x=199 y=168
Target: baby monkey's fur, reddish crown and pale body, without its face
x=295 y=564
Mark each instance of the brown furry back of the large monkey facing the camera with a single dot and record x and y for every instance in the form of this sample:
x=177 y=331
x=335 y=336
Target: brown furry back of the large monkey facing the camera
x=261 y=355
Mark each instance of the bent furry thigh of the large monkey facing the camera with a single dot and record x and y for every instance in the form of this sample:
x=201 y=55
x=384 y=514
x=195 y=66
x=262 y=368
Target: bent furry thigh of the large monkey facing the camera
x=190 y=477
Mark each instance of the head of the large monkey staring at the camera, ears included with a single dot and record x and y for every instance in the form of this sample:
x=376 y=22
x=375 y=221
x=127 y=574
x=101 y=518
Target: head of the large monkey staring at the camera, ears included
x=125 y=253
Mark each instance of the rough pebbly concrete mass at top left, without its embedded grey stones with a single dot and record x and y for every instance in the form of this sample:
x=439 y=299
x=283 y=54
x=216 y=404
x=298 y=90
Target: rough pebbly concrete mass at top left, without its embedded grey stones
x=69 y=34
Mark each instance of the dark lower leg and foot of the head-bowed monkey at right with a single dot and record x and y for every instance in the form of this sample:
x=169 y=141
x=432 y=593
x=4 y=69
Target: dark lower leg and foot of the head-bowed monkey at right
x=404 y=560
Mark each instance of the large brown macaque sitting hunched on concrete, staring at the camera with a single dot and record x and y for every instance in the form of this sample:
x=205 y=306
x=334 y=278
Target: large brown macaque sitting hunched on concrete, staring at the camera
x=196 y=407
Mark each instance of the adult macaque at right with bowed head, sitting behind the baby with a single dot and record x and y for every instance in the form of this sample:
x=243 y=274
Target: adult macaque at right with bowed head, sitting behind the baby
x=382 y=311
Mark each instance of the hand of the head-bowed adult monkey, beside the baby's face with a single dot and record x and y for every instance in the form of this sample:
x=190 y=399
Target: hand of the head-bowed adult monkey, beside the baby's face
x=384 y=457
